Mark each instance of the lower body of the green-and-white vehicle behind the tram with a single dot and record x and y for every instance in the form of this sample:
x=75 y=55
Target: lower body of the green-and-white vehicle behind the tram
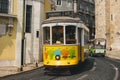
x=97 y=50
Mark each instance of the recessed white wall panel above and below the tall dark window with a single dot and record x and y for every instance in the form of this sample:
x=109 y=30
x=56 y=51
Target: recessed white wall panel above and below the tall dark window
x=28 y=54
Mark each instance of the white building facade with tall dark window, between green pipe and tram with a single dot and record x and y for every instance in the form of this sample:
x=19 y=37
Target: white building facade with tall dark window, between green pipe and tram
x=32 y=22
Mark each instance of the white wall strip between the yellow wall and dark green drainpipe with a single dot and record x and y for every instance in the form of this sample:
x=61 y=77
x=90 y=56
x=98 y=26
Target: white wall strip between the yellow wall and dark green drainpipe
x=19 y=32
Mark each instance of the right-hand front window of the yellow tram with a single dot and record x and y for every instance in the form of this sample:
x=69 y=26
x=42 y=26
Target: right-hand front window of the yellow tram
x=70 y=34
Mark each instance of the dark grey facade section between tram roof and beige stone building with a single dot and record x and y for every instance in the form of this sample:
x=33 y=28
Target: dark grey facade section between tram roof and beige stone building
x=86 y=12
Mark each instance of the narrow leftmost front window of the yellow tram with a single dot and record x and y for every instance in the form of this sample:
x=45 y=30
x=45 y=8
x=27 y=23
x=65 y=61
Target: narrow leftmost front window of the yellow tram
x=46 y=35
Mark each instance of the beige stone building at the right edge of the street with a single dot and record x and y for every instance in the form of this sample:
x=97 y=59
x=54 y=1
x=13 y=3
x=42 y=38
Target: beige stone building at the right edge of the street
x=107 y=20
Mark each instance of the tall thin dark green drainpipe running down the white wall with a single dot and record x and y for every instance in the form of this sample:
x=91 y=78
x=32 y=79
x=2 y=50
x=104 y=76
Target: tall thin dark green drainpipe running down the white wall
x=23 y=37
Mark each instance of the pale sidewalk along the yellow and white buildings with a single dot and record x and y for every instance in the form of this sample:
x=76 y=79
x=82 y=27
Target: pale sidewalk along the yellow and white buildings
x=10 y=70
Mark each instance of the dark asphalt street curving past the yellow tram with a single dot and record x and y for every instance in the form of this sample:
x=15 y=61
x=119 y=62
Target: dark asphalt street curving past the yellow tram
x=94 y=68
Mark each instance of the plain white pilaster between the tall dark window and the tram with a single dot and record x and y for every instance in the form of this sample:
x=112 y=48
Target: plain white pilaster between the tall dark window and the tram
x=37 y=19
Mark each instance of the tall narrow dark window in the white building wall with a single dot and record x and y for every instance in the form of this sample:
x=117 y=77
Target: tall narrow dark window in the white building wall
x=28 y=18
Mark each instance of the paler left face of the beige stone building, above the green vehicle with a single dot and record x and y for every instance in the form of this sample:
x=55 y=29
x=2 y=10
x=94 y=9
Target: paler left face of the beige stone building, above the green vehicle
x=100 y=19
